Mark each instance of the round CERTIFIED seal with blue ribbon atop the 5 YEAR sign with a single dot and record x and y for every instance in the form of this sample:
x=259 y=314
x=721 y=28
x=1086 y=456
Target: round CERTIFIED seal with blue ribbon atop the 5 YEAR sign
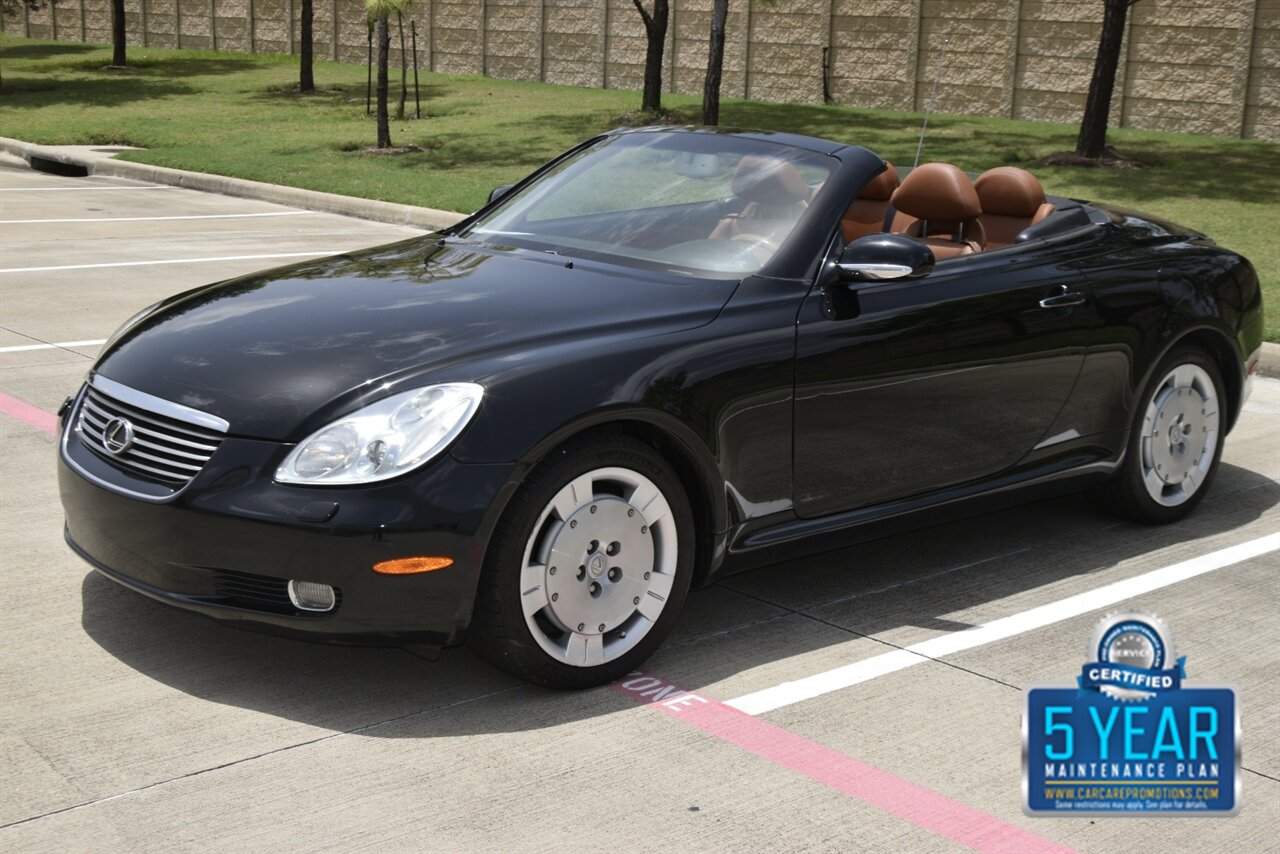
x=1130 y=657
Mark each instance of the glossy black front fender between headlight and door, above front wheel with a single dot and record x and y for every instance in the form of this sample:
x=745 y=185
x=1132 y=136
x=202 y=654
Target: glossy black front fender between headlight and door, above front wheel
x=720 y=396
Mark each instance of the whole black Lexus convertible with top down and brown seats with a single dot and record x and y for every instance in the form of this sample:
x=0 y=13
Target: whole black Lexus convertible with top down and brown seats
x=662 y=357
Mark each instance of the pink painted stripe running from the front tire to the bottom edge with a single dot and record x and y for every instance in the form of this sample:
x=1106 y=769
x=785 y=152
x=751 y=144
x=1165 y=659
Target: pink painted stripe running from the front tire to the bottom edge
x=902 y=798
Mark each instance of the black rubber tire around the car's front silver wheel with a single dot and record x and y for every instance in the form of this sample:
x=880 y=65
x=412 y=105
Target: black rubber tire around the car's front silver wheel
x=528 y=647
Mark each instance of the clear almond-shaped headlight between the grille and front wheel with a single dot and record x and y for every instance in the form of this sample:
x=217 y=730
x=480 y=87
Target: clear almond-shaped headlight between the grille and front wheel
x=383 y=440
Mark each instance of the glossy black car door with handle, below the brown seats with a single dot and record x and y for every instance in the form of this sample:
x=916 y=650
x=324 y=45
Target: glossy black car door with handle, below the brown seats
x=911 y=387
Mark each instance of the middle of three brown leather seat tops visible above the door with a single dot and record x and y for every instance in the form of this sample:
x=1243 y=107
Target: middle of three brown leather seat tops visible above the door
x=947 y=205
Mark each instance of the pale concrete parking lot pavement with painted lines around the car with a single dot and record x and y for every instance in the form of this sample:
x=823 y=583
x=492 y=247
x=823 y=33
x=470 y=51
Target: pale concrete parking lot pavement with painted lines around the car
x=863 y=700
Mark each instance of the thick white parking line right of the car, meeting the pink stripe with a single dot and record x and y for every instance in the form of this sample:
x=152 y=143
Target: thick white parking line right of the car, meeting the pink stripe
x=834 y=681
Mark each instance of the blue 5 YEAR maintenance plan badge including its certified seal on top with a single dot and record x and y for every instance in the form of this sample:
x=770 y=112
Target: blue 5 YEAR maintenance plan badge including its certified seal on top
x=1131 y=737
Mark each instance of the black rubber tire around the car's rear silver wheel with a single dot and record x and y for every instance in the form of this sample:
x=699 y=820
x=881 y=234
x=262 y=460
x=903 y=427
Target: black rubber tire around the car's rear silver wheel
x=1131 y=494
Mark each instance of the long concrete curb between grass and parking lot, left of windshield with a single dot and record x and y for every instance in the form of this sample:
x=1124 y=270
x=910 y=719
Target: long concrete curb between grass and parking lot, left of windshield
x=103 y=163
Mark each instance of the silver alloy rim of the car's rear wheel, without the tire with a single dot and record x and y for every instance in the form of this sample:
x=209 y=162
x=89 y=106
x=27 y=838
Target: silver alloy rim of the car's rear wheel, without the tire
x=1180 y=435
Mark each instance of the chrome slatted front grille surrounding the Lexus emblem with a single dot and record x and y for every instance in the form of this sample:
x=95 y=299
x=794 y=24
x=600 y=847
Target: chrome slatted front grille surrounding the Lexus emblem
x=163 y=449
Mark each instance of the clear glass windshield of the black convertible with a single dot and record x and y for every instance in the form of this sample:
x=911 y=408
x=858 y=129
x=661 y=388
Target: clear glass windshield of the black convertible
x=696 y=203
